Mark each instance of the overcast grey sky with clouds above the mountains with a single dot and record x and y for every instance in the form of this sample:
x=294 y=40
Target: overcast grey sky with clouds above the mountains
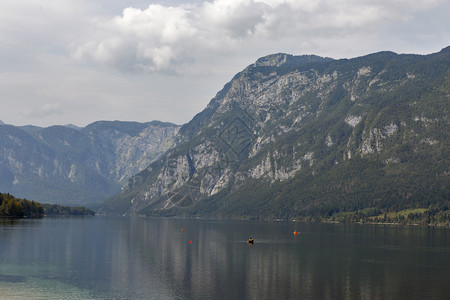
x=79 y=61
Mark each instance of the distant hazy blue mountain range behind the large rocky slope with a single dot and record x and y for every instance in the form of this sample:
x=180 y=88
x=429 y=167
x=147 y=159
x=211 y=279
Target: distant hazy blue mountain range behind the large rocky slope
x=78 y=166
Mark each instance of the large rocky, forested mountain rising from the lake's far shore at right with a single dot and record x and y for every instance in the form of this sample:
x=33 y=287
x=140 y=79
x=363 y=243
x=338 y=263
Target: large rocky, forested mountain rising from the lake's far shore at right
x=304 y=137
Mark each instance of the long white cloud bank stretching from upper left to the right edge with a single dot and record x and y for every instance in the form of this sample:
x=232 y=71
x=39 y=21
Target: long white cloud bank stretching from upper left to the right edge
x=161 y=38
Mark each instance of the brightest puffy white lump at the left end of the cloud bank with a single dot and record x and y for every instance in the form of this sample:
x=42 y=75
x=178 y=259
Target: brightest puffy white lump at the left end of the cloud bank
x=149 y=39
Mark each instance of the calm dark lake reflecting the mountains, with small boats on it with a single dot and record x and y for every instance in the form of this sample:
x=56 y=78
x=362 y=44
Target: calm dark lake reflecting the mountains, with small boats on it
x=157 y=258
